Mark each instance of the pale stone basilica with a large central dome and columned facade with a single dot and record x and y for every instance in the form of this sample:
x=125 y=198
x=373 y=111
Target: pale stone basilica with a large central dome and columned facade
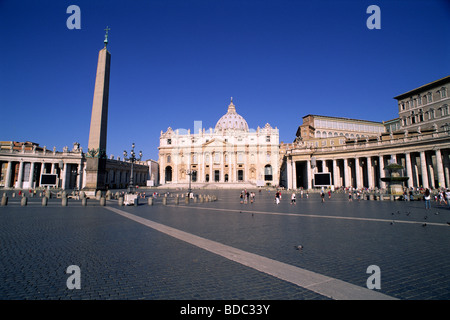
x=230 y=155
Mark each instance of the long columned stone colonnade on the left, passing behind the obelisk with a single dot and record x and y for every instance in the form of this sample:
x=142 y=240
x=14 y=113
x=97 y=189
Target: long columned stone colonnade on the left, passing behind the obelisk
x=23 y=164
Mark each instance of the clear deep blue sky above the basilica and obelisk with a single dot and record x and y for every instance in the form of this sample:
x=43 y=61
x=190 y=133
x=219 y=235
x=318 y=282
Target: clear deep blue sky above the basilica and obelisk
x=175 y=62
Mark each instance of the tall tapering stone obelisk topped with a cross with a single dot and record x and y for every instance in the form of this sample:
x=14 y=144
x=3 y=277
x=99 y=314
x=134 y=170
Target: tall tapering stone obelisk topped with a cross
x=96 y=155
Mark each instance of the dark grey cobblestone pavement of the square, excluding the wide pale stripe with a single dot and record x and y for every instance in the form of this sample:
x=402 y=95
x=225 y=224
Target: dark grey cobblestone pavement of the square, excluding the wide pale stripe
x=122 y=259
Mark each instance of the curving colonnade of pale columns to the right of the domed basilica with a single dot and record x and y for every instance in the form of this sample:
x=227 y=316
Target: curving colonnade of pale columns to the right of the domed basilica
x=425 y=168
